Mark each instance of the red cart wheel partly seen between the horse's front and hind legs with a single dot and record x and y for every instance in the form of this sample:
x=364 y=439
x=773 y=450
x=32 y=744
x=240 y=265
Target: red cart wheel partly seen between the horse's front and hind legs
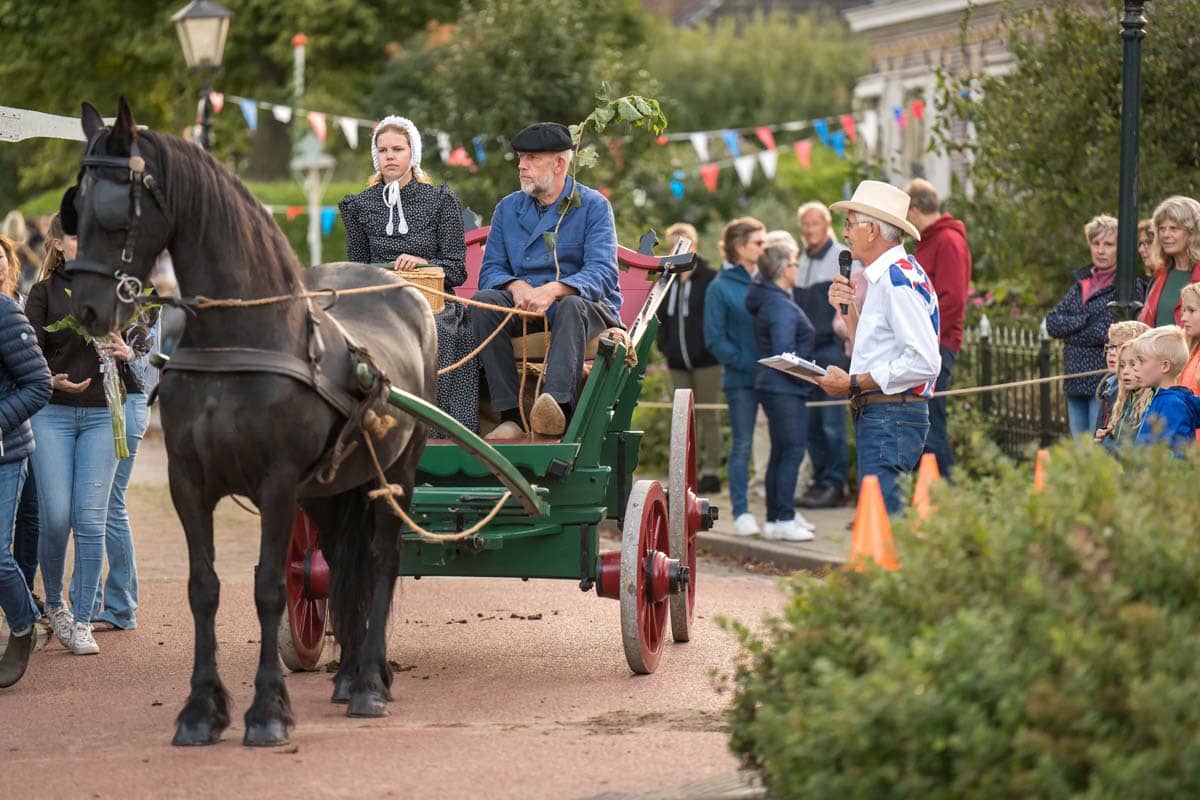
x=307 y=582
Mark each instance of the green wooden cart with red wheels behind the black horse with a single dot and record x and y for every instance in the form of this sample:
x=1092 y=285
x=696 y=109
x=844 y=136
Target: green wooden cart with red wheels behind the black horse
x=560 y=494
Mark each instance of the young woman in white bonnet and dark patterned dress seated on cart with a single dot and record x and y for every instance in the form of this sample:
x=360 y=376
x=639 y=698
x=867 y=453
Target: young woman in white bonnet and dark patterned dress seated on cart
x=405 y=222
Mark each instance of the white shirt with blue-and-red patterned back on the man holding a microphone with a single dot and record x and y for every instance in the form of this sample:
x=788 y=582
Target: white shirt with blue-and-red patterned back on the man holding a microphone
x=898 y=328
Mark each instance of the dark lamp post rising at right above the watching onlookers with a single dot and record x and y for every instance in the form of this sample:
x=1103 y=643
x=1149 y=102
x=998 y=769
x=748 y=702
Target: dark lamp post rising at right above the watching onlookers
x=1133 y=31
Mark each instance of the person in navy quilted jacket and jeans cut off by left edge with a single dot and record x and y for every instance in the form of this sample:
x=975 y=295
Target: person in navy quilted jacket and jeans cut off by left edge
x=25 y=389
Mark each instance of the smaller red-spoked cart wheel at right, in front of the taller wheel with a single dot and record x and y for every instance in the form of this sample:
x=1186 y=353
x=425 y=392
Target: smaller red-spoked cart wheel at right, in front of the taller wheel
x=646 y=576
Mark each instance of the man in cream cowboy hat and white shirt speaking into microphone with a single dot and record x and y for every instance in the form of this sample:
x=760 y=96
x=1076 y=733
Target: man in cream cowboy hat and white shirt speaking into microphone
x=896 y=360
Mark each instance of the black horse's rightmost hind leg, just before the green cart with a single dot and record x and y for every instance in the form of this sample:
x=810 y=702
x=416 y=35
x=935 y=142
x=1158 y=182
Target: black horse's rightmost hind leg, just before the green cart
x=371 y=688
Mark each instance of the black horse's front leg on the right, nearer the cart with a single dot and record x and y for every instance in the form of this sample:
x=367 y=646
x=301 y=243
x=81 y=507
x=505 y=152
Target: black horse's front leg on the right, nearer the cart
x=269 y=718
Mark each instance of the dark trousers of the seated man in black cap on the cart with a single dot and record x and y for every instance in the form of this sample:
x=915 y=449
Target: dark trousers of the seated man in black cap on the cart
x=573 y=323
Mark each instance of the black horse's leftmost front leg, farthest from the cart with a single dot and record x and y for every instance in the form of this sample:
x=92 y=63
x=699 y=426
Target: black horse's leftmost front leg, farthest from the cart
x=207 y=713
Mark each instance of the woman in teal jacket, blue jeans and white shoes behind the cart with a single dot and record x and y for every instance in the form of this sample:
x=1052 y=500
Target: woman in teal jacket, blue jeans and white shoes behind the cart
x=729 y=335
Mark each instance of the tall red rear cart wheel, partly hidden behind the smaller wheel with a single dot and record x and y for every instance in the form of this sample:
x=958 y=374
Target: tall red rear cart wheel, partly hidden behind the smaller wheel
x=683 y=508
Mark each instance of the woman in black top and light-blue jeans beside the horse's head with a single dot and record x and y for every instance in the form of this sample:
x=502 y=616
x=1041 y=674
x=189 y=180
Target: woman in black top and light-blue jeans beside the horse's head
x=75 y=459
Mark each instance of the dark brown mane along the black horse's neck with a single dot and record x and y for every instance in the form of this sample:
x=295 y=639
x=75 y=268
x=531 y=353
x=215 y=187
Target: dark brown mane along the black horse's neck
x=206 y=196
